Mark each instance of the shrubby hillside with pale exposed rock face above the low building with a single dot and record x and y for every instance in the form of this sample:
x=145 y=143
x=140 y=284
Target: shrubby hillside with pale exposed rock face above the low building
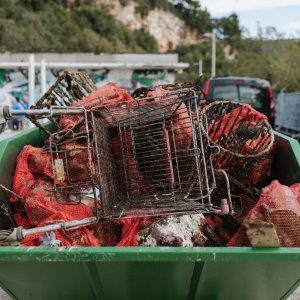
x=100 y=25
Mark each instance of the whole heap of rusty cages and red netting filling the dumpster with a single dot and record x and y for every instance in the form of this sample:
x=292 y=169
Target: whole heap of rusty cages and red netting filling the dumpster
x=158 y=167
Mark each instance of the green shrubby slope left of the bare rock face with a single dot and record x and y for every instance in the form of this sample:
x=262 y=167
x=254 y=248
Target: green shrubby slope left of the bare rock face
x=51 y=26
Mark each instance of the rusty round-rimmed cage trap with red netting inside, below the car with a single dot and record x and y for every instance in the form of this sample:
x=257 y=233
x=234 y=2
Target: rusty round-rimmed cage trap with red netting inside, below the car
x=241 y=137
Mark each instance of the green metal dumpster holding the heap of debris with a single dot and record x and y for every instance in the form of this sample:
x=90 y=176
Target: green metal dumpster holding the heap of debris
x=149 y=273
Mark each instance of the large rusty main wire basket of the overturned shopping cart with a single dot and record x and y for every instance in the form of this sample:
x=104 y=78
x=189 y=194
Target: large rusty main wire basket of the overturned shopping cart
x=151 y=157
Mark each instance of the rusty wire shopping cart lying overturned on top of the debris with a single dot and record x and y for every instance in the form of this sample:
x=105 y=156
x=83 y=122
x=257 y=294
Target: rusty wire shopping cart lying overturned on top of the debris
x=145 y=156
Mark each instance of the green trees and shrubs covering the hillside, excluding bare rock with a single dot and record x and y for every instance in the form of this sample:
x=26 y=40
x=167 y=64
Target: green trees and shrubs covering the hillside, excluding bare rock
x=80 y=26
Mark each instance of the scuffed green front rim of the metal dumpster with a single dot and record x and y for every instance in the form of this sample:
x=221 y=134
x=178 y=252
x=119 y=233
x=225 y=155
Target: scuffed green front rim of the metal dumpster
x=145 y=254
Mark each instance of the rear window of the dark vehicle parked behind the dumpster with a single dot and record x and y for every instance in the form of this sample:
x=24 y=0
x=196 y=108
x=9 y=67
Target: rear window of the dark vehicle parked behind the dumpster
x=252 y=95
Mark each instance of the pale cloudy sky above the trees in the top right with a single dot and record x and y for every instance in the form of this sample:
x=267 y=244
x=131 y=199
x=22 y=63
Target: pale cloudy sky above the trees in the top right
x=283 y=14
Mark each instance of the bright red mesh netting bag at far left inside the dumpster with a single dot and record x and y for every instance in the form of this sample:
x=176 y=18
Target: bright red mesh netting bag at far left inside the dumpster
x=32 y=178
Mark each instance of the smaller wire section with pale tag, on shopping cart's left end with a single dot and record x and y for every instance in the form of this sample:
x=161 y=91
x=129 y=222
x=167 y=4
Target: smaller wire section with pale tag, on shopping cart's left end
x=74 y=163
